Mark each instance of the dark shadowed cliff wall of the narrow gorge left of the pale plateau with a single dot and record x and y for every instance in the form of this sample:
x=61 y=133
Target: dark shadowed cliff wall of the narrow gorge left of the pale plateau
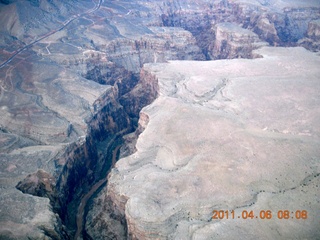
x=87 y=162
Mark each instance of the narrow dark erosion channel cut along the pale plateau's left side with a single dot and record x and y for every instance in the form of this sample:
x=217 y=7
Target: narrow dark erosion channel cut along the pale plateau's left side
x=91 y=161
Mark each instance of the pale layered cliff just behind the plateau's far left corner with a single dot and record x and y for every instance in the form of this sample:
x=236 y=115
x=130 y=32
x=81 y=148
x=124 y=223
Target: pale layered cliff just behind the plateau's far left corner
x=163 y=44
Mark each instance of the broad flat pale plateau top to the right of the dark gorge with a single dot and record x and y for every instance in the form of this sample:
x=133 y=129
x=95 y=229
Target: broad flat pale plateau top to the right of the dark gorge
x=227 y=135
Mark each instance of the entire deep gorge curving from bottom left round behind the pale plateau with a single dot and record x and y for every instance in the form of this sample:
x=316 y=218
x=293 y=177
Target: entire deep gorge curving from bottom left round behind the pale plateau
x=177 y=34
